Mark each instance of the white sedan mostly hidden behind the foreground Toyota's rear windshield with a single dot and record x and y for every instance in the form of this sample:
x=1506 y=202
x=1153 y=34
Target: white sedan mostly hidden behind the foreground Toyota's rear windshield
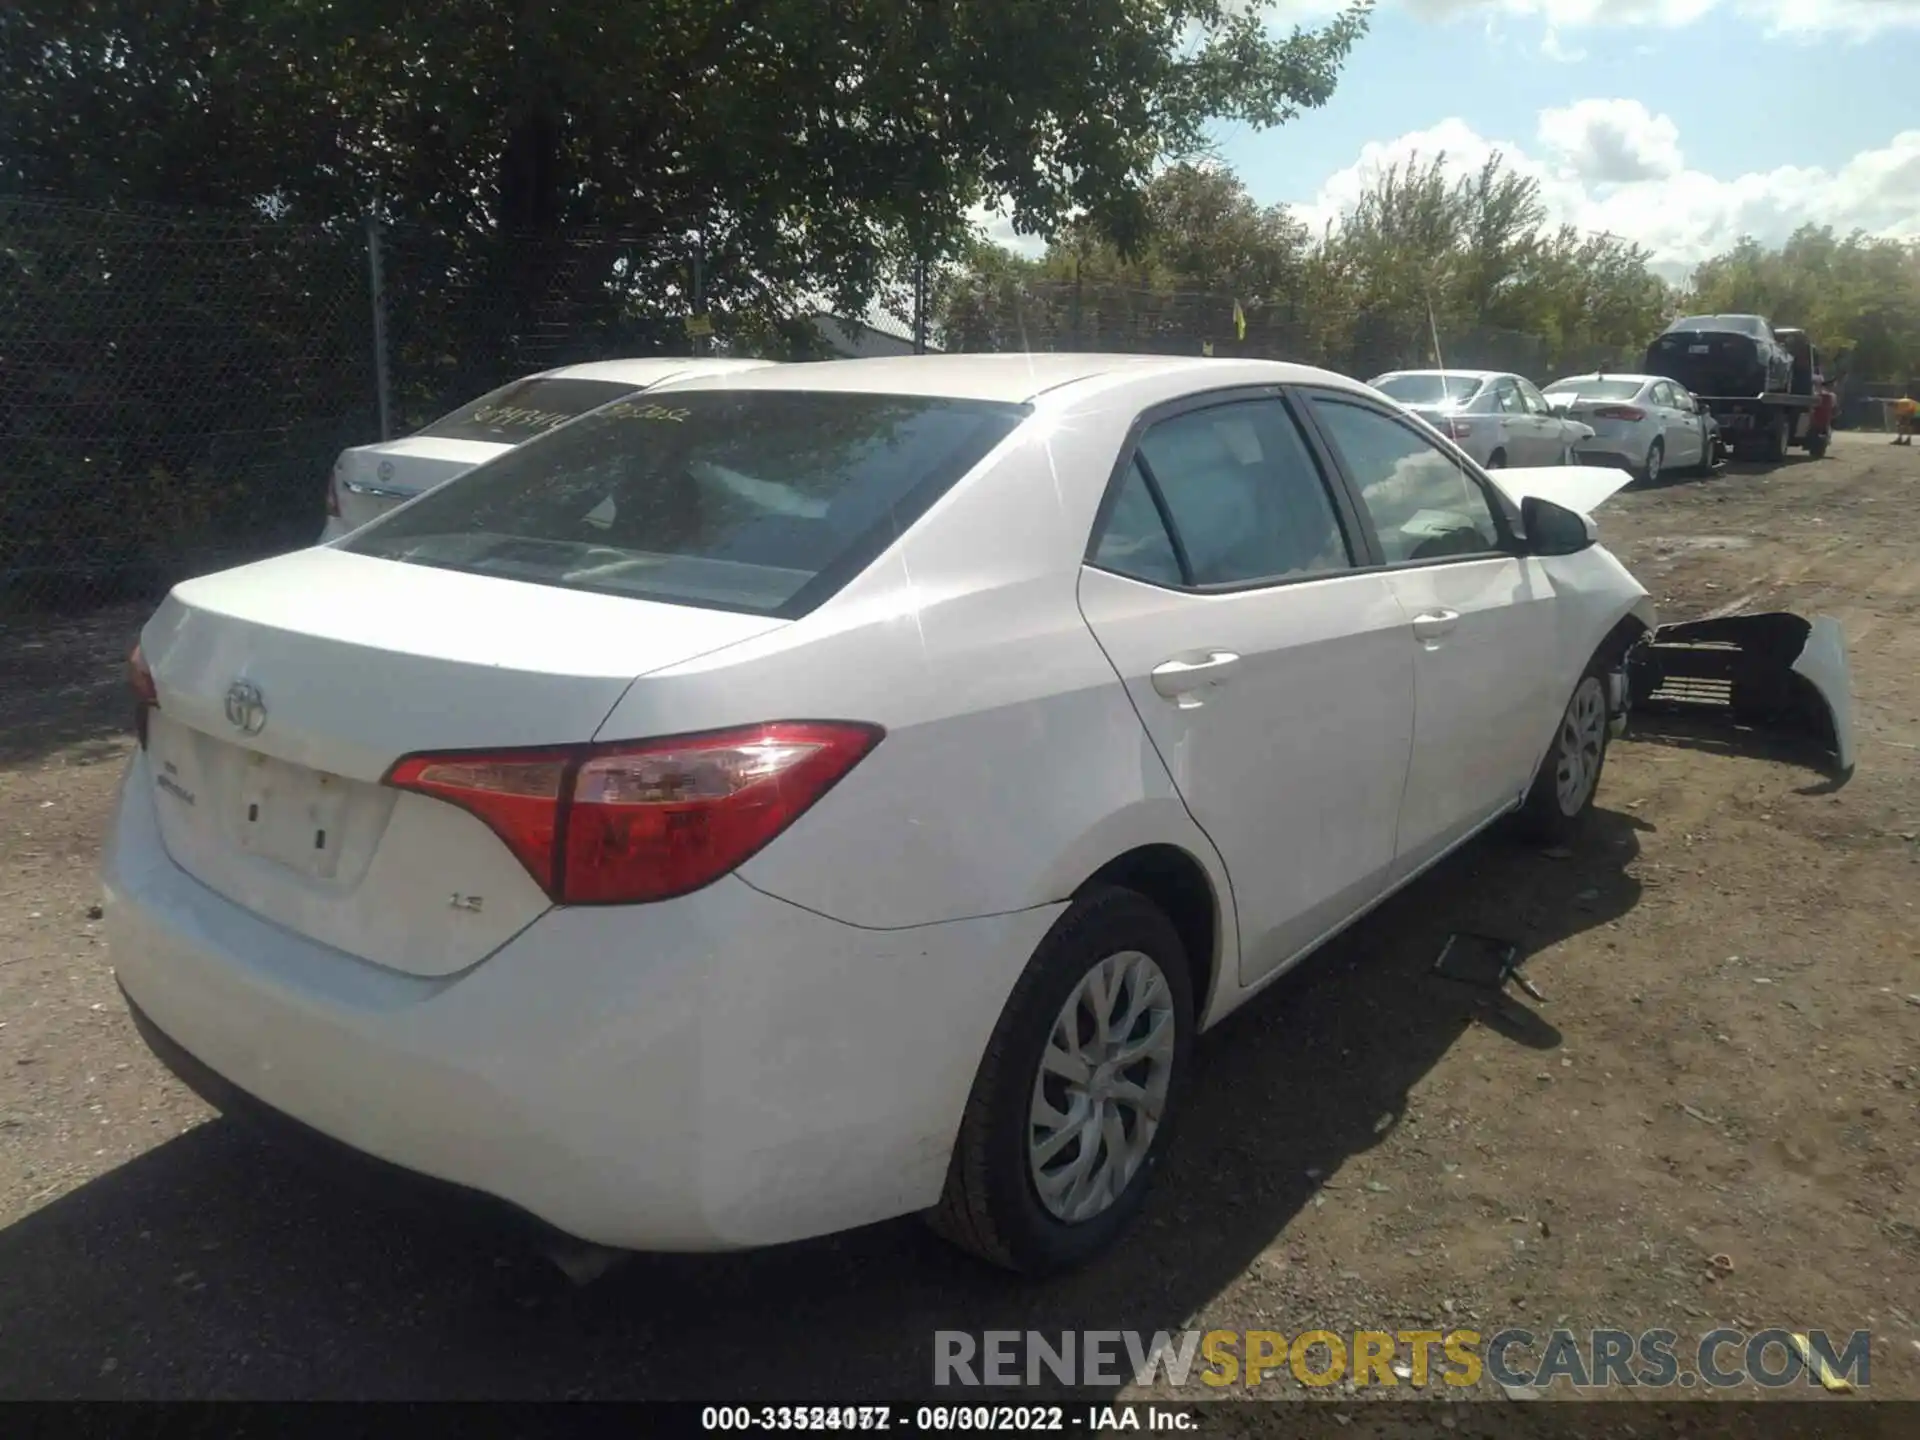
x=370 y=481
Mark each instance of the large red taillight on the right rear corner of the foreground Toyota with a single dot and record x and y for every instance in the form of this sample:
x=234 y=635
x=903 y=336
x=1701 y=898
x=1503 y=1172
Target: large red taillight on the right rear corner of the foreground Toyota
x=621 y=825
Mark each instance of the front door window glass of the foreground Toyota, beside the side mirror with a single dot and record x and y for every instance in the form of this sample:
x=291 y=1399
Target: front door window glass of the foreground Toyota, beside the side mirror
x=1424 y=504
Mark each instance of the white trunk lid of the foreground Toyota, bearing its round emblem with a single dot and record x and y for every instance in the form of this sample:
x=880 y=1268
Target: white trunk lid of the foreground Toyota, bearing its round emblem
x=289 y=688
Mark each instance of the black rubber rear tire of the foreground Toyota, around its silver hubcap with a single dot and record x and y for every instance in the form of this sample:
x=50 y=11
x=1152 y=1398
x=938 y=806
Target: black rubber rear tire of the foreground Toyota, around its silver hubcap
x=992 y=1205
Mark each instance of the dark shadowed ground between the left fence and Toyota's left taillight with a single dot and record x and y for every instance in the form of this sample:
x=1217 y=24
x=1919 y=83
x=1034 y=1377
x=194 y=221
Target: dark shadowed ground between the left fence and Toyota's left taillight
x=66 y=683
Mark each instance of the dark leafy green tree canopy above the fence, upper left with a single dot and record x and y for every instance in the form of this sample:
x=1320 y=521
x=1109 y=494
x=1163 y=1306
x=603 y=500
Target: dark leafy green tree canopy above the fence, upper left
x=807 y=145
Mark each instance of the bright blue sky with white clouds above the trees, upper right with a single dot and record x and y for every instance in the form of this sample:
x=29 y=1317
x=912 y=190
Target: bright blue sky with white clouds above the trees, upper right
x=1675 y=124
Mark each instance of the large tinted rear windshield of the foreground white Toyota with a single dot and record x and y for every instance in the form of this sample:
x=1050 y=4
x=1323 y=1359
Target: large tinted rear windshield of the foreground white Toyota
x=761 y=502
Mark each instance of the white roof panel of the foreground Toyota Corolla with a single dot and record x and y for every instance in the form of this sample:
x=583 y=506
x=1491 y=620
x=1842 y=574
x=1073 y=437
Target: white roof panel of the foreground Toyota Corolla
x=1011 y=377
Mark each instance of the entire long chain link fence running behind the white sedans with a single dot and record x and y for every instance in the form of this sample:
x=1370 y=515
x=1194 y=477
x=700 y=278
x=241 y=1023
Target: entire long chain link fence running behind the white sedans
x=176 y=387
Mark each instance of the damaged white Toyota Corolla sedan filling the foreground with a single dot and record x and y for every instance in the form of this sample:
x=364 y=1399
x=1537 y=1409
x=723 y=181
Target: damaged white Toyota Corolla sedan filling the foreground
x=790 y=800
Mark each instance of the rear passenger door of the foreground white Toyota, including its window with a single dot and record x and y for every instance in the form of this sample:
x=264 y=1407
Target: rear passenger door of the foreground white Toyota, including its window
x=1274 y=679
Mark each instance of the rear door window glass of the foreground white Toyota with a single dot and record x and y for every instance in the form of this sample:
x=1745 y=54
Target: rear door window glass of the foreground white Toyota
x=1245 y=494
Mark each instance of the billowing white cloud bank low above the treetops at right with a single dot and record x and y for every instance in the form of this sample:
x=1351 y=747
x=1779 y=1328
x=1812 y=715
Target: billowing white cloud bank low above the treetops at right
x=1614 y=166
